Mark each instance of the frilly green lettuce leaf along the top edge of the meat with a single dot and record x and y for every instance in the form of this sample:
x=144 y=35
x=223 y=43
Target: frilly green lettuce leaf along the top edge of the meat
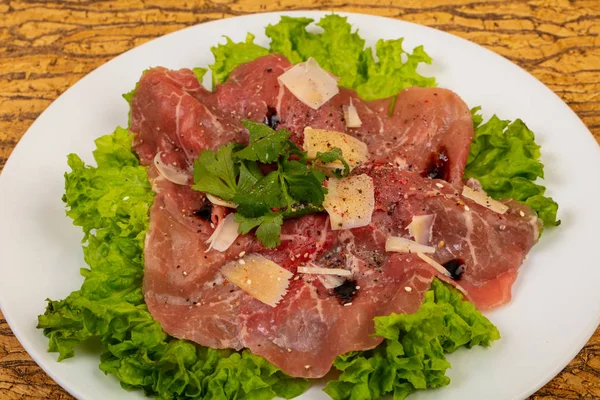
x=338 y=50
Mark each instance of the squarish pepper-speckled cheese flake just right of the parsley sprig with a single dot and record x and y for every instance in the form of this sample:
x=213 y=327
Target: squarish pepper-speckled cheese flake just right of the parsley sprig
x=350 y=202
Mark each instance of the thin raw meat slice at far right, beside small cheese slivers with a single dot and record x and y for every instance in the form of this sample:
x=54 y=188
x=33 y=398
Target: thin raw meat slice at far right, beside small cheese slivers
x=481 y=248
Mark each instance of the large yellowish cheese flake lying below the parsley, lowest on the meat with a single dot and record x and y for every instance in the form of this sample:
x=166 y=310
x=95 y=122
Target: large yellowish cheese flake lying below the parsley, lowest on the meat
x=260 y=277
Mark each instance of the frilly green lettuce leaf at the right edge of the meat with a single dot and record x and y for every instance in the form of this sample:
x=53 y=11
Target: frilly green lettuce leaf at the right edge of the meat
x=505 y=159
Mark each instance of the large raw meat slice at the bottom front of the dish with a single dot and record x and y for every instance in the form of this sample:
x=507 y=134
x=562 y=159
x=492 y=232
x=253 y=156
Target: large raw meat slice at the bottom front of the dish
x=187 y=294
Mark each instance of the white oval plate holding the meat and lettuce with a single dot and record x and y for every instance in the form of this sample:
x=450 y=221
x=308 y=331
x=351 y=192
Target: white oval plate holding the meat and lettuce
x=556 y=304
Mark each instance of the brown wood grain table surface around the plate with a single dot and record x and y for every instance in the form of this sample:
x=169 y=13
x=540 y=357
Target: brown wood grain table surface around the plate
x=47 y=46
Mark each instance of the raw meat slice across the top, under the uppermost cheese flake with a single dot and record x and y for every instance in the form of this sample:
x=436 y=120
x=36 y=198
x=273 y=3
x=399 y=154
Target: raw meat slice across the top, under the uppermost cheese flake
x=427 y=130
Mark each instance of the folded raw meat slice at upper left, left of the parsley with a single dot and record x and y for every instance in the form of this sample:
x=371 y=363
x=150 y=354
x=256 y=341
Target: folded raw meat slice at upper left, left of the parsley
x=167 y=117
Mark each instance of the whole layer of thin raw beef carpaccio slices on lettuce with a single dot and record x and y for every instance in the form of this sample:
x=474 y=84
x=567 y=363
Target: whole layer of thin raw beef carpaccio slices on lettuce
x=417 y=157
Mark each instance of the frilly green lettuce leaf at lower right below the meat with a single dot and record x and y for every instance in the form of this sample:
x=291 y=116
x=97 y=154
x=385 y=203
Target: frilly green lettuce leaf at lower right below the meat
x=412 y=356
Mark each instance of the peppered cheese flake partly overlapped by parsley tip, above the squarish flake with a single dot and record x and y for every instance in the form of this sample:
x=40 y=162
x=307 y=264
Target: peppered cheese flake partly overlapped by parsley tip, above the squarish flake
x=354 y=151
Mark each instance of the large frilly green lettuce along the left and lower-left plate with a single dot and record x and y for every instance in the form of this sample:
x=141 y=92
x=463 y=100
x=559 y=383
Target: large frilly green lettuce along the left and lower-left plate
x=111 y=203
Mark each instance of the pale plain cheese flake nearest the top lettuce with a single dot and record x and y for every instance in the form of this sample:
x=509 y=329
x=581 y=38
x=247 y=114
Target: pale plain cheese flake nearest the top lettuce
x=310 y=83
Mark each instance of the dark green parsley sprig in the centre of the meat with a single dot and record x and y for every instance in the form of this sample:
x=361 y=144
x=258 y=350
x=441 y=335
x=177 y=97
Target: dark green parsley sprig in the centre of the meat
x=294 y=187
